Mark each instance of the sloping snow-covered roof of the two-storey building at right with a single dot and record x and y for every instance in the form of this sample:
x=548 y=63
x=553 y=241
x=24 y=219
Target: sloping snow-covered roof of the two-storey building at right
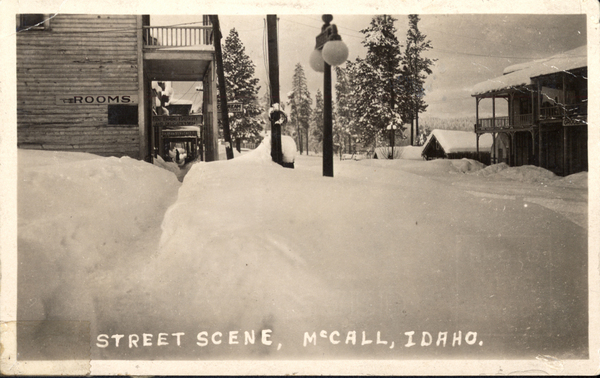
x=521 y=74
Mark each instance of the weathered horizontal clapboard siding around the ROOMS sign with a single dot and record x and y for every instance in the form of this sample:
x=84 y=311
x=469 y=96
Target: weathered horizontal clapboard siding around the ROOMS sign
x=79 y=55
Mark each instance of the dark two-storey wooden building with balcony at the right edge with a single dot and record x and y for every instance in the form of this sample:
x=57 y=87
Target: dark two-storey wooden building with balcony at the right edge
x=546 y=103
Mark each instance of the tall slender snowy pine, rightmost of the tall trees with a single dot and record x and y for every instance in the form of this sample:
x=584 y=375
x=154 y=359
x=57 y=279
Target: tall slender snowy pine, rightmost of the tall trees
x=415 y=71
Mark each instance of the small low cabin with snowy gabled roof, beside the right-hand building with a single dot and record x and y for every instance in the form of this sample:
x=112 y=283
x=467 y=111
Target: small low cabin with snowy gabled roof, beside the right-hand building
x=455 y=144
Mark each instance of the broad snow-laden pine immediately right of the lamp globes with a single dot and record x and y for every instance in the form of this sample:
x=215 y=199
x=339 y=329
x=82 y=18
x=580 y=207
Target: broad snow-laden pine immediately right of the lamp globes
x=374 y=80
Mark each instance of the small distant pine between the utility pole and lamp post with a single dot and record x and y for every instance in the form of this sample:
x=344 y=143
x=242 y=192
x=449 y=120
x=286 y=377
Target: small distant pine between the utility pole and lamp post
x=300 y=103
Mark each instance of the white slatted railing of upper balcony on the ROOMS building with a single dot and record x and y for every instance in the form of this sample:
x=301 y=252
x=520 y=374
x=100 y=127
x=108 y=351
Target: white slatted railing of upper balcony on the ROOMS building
x=167 y=36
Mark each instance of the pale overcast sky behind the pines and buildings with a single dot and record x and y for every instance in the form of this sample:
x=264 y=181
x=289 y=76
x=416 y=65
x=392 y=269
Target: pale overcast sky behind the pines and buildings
x=469 y=48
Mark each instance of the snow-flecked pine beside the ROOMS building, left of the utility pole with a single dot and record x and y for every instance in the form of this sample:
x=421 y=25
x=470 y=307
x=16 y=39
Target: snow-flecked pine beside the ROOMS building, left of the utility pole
x=242 y=87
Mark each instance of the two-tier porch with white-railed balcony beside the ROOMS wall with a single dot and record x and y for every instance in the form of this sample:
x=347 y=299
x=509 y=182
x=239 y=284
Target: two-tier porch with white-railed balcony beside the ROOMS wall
x=180 y=54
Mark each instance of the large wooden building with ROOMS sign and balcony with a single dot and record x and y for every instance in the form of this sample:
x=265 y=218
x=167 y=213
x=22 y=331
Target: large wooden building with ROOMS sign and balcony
x=84 y=82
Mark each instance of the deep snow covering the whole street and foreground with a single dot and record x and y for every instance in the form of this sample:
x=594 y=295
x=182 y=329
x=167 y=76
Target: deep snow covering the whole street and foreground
x=397 y=259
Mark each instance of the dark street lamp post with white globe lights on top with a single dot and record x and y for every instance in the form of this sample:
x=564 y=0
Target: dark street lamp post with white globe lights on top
x=329 y=51
